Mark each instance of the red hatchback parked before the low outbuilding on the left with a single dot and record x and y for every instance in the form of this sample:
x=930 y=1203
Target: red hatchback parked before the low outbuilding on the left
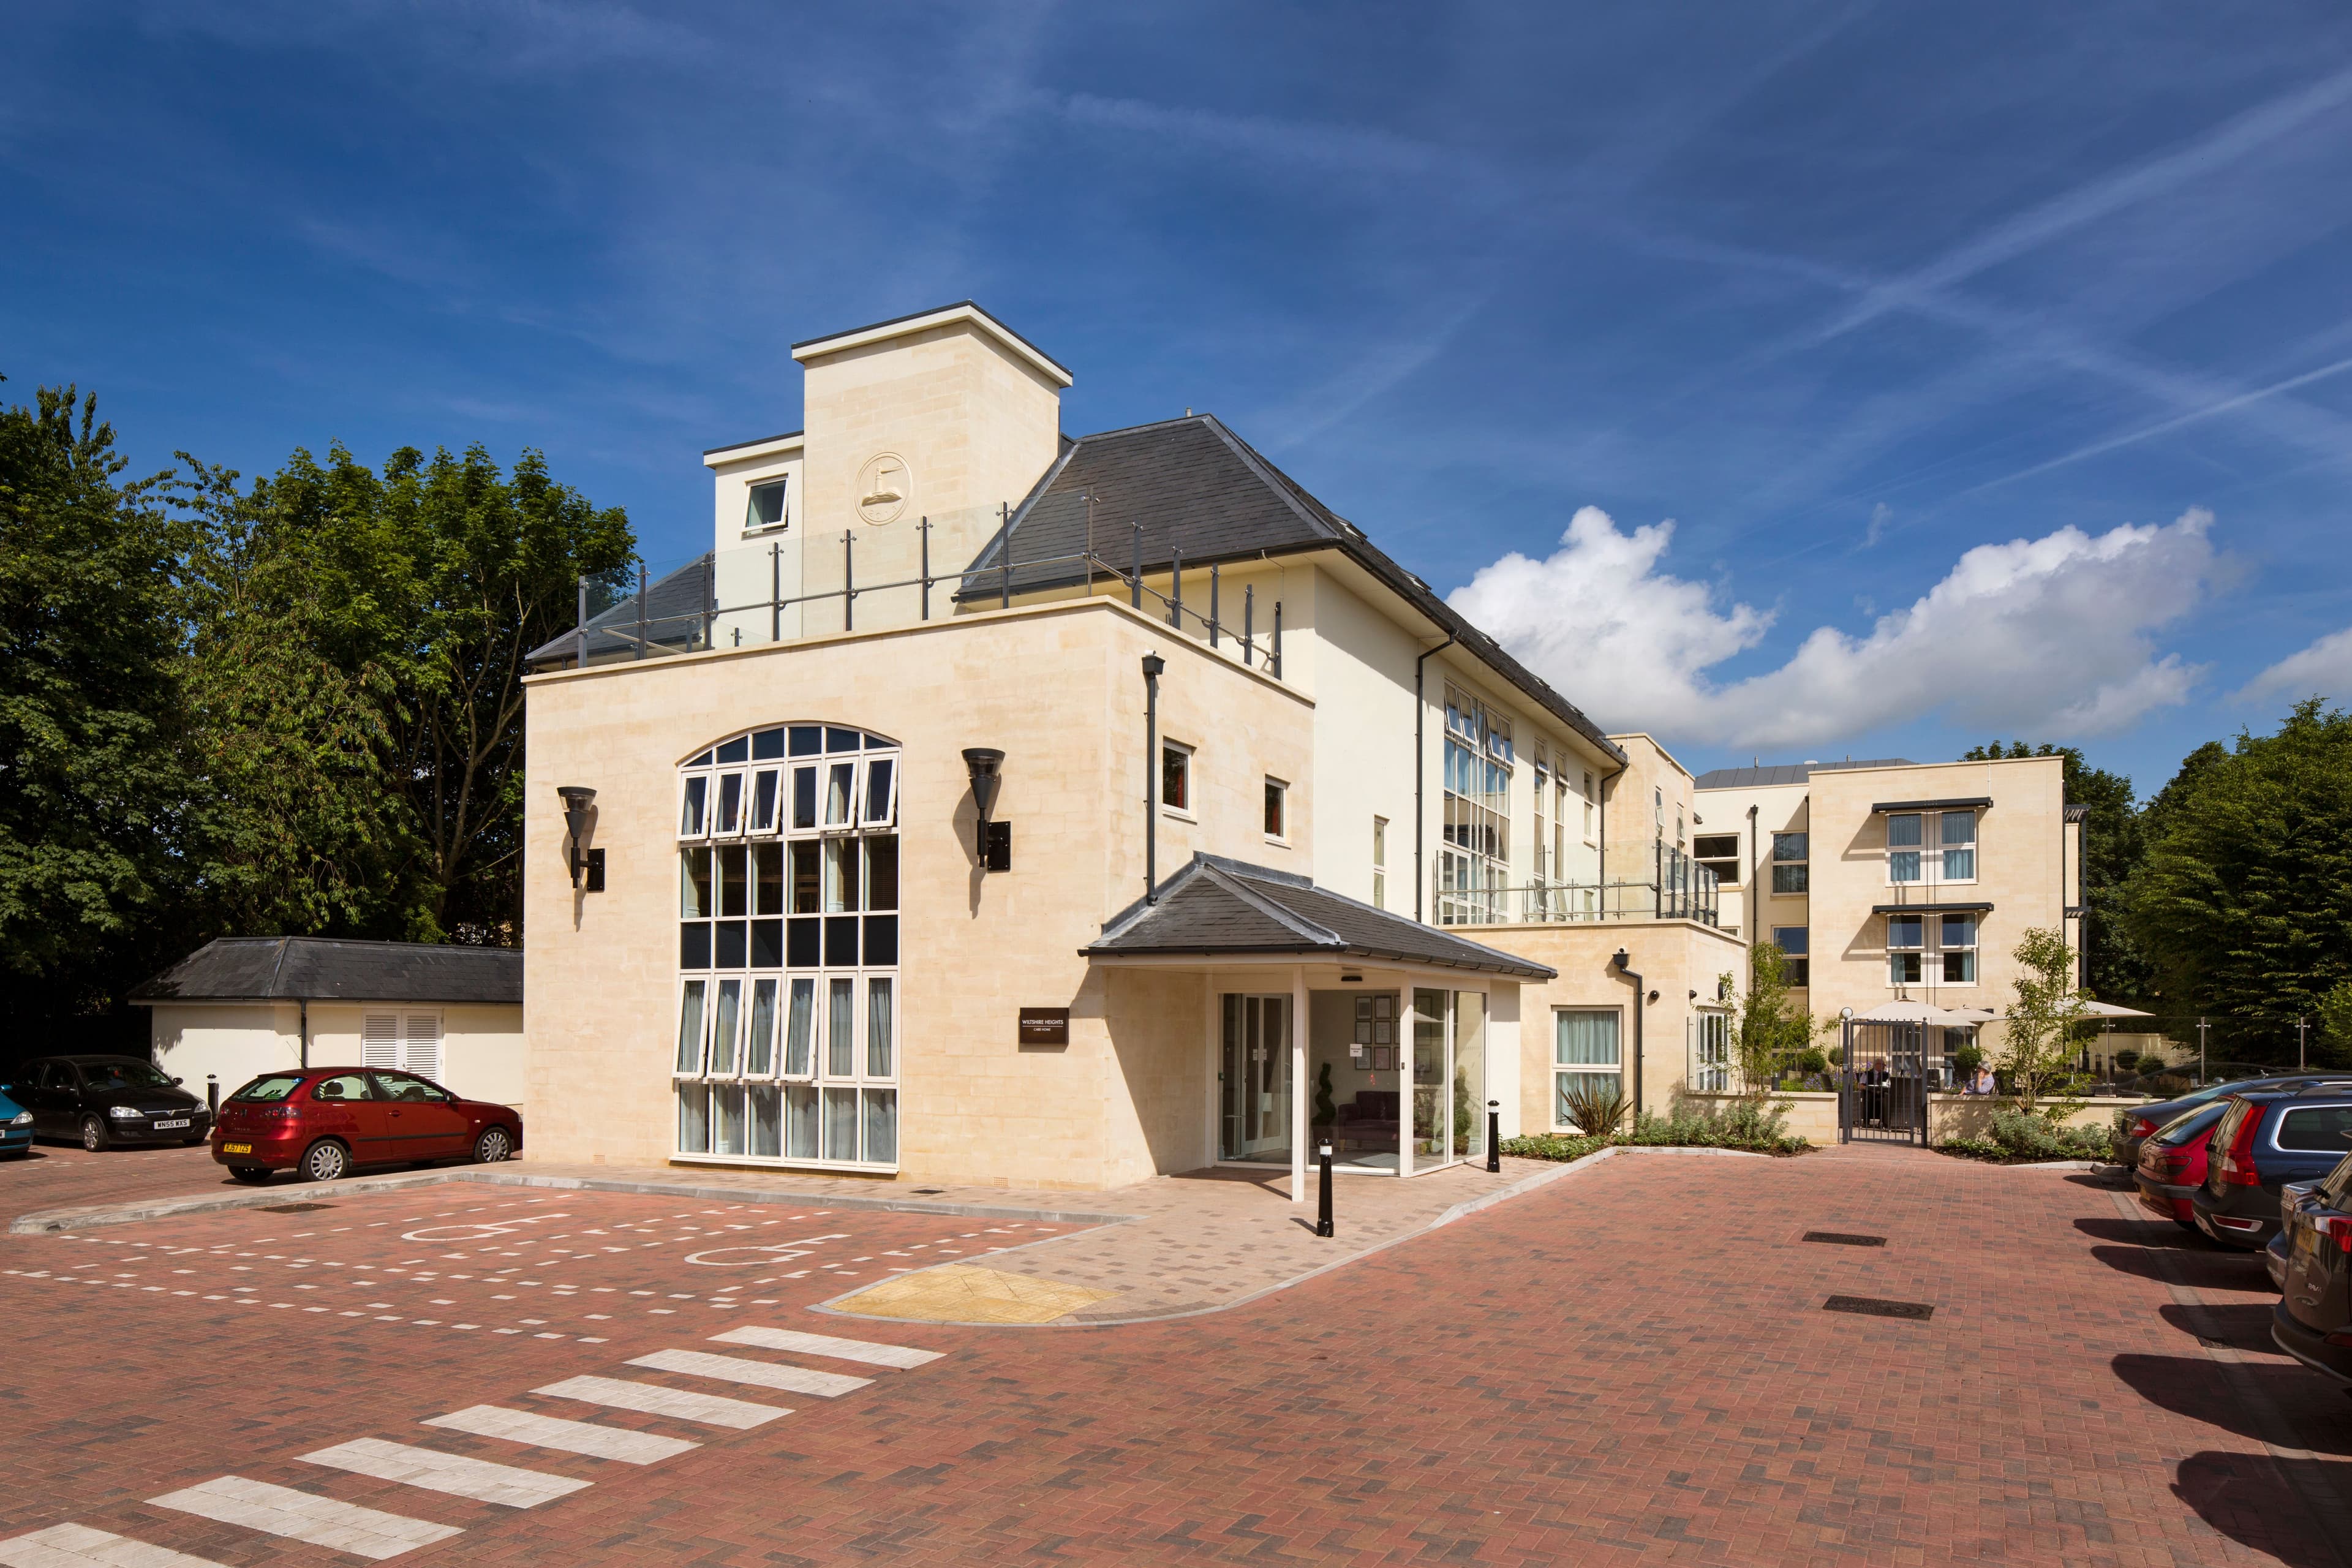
x=330 y=1120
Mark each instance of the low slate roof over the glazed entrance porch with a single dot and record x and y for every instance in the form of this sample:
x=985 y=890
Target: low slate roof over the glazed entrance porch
x=1224 y=909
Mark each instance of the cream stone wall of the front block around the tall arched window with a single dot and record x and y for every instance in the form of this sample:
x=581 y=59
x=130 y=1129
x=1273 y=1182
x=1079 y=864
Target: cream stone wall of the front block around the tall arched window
x=1055 y=688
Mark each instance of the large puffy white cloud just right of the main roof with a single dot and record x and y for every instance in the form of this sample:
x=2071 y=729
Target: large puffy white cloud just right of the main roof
x=2047 y=634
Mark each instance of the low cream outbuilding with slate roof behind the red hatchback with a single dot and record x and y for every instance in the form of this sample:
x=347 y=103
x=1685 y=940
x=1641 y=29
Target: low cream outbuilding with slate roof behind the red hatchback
x=250 y=1005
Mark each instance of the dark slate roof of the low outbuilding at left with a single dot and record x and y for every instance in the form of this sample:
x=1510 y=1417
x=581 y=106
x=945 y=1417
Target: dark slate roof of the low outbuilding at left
x=333 y=970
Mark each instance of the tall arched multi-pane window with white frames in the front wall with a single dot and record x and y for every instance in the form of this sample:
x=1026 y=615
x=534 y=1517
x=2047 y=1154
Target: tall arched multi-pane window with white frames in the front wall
x=789 y=949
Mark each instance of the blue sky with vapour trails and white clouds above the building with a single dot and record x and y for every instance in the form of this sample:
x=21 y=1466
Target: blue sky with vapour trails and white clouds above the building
x=1993 y=363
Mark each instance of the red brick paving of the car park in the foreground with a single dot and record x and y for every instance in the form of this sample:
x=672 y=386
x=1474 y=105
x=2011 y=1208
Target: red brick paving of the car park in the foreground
x=1624 y=1367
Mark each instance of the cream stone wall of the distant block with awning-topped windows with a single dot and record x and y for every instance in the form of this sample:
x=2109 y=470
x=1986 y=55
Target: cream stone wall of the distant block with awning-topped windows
x=2019 y=871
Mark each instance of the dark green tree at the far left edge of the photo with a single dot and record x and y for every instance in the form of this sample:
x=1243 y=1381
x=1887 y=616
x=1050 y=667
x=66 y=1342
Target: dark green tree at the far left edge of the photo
x=88 y=711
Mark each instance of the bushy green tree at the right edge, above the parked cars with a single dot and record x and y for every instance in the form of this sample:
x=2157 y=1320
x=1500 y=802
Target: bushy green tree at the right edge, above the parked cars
x=2245 y=894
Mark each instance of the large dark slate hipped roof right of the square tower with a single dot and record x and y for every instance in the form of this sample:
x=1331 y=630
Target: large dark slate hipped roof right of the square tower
x=1203 y=490
